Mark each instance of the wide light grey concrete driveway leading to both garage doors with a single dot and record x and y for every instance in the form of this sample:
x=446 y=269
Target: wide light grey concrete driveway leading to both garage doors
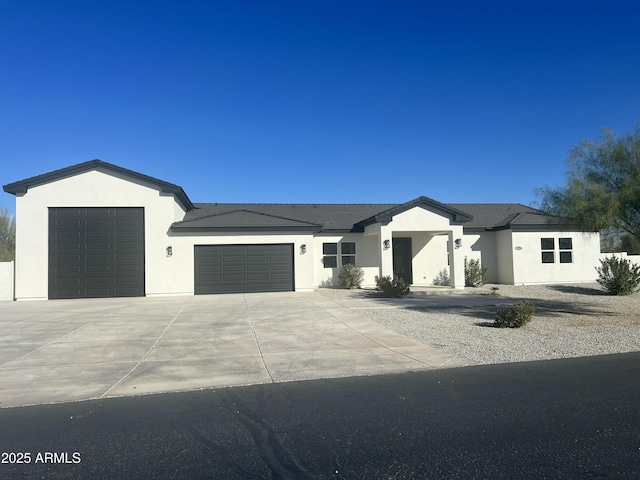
x=69 y=350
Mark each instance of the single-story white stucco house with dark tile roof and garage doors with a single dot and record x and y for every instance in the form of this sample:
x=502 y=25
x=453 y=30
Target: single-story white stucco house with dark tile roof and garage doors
x=99 y=230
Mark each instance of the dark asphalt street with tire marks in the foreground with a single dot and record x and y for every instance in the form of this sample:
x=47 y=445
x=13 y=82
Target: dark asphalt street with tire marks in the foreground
x=577 y=418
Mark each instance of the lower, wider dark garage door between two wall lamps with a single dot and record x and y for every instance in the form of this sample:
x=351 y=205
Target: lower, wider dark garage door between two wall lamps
x=243 y=268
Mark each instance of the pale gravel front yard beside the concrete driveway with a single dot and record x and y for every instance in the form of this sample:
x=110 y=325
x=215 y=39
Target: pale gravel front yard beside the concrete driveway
x=570 y=321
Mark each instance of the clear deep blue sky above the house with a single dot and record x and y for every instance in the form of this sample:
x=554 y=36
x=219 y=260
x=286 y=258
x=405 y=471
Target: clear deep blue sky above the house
x=317 y=101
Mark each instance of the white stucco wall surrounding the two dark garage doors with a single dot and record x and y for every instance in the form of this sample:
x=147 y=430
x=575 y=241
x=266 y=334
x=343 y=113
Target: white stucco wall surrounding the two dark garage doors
x=163 y=275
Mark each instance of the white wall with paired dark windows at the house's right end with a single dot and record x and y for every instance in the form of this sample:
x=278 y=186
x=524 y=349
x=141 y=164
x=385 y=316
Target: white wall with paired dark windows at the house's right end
x=527 y=258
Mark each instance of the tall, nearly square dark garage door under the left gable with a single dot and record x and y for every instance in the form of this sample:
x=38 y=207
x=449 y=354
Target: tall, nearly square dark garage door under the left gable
x=96 y=252
